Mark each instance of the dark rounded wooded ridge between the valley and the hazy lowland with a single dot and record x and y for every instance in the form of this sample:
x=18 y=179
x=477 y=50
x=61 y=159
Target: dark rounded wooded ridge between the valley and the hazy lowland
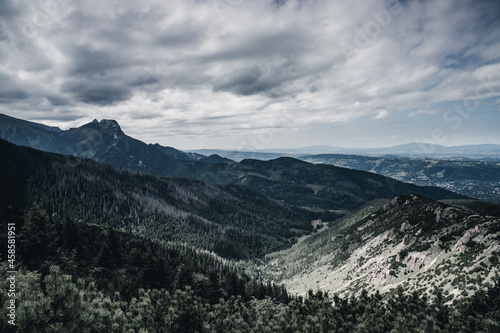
x=314 y=186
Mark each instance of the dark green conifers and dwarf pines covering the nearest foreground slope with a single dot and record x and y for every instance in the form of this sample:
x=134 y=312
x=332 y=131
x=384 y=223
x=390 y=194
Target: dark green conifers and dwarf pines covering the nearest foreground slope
x=77 y=278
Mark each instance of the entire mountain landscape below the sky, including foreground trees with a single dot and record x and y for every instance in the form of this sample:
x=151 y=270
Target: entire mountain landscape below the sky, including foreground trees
x=109 y=227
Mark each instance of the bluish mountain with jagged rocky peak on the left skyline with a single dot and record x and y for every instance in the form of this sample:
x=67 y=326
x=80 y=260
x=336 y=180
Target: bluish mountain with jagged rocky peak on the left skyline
x=102 y=141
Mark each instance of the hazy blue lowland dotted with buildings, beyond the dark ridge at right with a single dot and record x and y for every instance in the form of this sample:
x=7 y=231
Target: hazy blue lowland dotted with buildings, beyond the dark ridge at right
x=476 y=179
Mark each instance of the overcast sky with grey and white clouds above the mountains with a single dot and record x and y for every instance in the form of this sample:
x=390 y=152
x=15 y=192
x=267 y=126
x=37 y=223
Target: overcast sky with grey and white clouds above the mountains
x=260 y=74
